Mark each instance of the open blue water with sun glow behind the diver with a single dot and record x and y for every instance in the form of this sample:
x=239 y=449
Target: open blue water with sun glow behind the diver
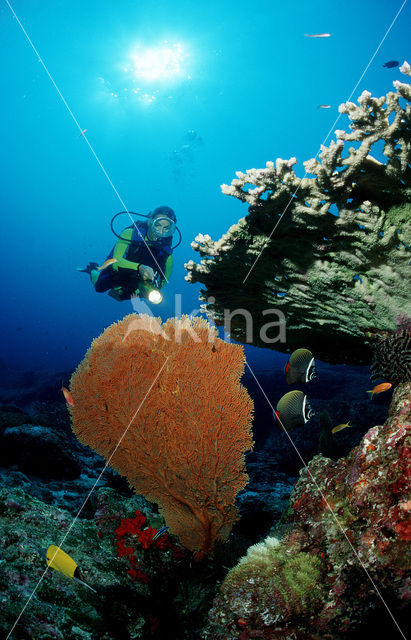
x=248 y=86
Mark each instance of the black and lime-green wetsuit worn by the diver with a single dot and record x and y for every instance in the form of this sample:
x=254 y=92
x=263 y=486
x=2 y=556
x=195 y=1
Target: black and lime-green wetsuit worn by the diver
x=123 y=276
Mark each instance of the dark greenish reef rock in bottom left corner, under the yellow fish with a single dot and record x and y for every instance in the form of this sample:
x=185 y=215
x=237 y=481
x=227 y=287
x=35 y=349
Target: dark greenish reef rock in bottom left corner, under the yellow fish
x=174 y=598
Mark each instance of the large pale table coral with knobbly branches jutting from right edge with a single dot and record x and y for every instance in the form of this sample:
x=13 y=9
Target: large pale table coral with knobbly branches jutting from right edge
x=338 y=263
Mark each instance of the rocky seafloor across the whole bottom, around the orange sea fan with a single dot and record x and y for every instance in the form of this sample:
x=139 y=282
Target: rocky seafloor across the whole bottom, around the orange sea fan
x=162 y=593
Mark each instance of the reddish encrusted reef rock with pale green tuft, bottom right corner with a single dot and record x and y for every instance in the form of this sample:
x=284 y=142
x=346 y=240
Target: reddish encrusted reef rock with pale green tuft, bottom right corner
x=347 y=548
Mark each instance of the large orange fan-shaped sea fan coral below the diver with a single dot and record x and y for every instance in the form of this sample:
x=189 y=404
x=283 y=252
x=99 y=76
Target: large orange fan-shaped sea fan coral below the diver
x=165 y=407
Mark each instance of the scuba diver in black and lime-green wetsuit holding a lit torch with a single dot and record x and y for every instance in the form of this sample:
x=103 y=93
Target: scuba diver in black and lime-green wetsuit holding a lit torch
x=141 y=260
